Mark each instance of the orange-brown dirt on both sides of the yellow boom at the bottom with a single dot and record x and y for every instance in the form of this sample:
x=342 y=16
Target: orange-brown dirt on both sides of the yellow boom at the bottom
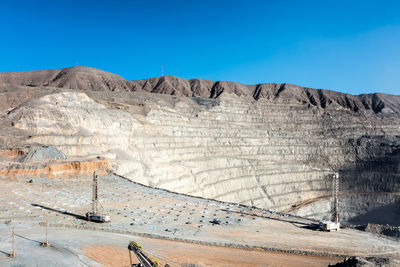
x=181 y=254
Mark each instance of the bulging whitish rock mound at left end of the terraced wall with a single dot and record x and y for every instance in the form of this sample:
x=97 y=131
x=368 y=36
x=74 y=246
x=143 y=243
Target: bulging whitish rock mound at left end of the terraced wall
x=77 y=124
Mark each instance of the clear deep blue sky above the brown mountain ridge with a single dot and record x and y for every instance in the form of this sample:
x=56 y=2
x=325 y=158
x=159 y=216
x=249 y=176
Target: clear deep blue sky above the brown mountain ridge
x=349 y=46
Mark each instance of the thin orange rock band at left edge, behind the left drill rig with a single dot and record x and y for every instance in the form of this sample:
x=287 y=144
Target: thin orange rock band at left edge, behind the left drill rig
x=60 y=170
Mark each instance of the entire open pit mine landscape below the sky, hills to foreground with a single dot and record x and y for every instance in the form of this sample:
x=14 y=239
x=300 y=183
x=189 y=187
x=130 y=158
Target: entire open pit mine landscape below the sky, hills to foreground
x=199 y=173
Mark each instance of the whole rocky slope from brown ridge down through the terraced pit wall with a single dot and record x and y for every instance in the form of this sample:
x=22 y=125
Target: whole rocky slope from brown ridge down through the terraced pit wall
x=269 y=145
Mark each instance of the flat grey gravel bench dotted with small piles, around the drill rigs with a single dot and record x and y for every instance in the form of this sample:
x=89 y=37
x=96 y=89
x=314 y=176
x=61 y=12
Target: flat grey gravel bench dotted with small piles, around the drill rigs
x=148 y=212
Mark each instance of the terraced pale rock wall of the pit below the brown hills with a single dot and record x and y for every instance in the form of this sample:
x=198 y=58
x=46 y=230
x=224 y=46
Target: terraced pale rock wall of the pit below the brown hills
x=263 y=153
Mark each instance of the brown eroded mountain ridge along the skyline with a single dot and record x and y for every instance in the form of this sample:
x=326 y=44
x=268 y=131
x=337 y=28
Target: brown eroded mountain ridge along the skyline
x=86 y=78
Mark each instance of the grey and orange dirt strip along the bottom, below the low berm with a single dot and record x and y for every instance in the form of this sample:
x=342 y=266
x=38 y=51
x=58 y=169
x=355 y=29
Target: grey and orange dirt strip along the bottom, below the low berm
x=81 y=247
